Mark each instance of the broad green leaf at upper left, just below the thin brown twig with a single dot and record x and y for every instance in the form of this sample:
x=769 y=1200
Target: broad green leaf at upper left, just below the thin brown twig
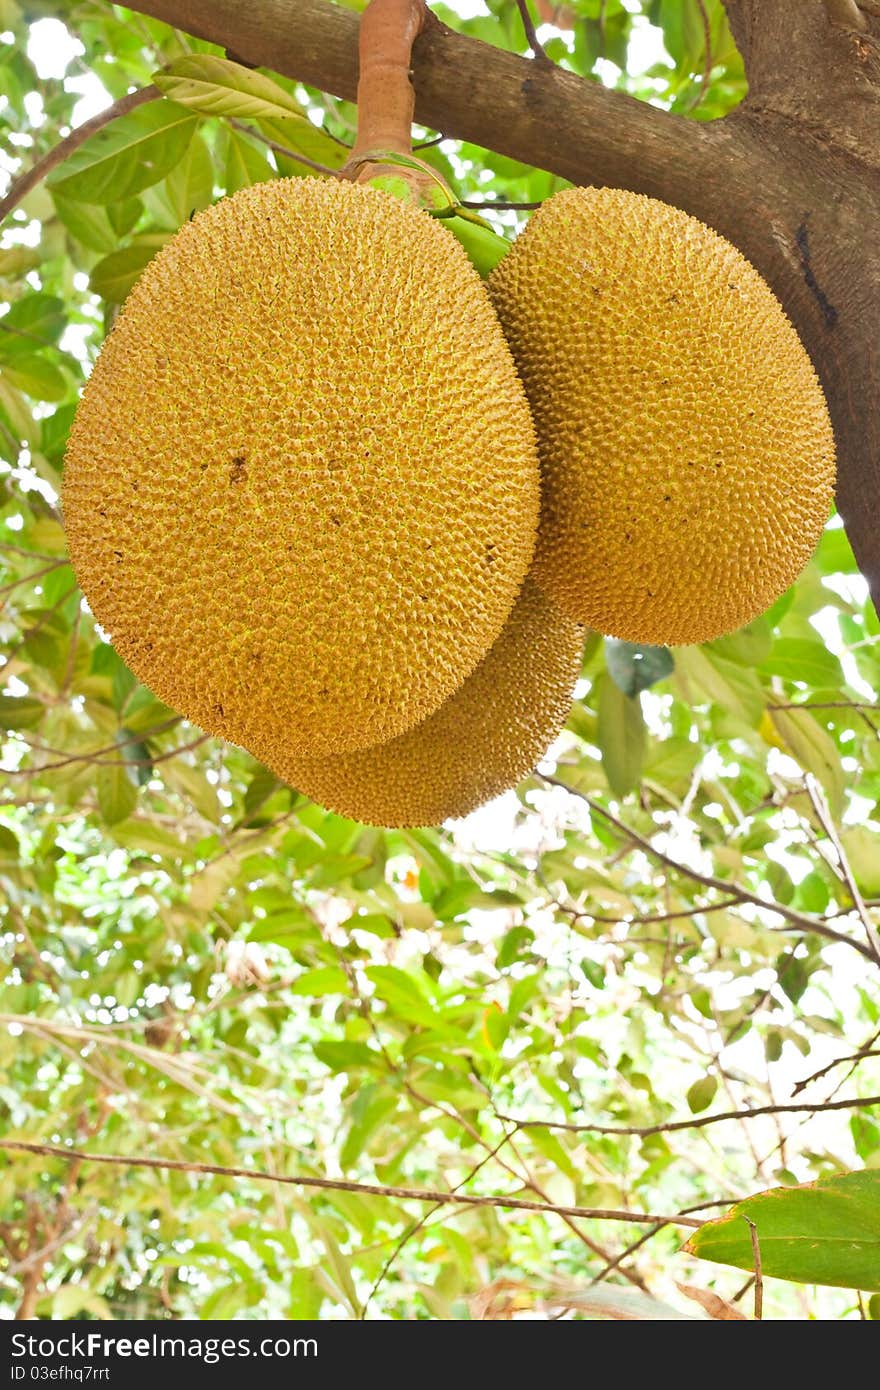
x=127 y=156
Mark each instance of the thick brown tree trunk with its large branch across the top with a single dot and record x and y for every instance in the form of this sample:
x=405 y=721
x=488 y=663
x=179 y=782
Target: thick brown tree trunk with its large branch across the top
x=793 y=177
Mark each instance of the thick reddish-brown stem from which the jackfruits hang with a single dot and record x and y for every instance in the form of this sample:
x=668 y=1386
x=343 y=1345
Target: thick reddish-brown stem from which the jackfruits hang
x=386 y=98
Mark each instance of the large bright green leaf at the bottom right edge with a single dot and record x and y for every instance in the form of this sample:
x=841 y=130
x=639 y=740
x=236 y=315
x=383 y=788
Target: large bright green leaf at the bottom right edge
x=820 y=1234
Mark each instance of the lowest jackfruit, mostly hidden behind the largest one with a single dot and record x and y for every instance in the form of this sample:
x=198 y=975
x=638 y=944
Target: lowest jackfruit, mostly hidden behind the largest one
x=483 y=742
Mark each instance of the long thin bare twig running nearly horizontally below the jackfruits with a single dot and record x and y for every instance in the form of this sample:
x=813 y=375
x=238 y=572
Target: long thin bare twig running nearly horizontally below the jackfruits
x=333 y=1185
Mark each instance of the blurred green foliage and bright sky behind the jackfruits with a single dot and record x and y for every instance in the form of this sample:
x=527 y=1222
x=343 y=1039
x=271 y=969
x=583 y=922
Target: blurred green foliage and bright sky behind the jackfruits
x=672 y=924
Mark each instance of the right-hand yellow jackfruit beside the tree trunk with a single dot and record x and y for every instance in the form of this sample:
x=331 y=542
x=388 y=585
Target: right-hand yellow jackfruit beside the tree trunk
x=686 y=448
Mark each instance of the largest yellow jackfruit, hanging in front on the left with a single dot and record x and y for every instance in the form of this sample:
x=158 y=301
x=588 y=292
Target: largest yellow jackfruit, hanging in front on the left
x=302 y=484
